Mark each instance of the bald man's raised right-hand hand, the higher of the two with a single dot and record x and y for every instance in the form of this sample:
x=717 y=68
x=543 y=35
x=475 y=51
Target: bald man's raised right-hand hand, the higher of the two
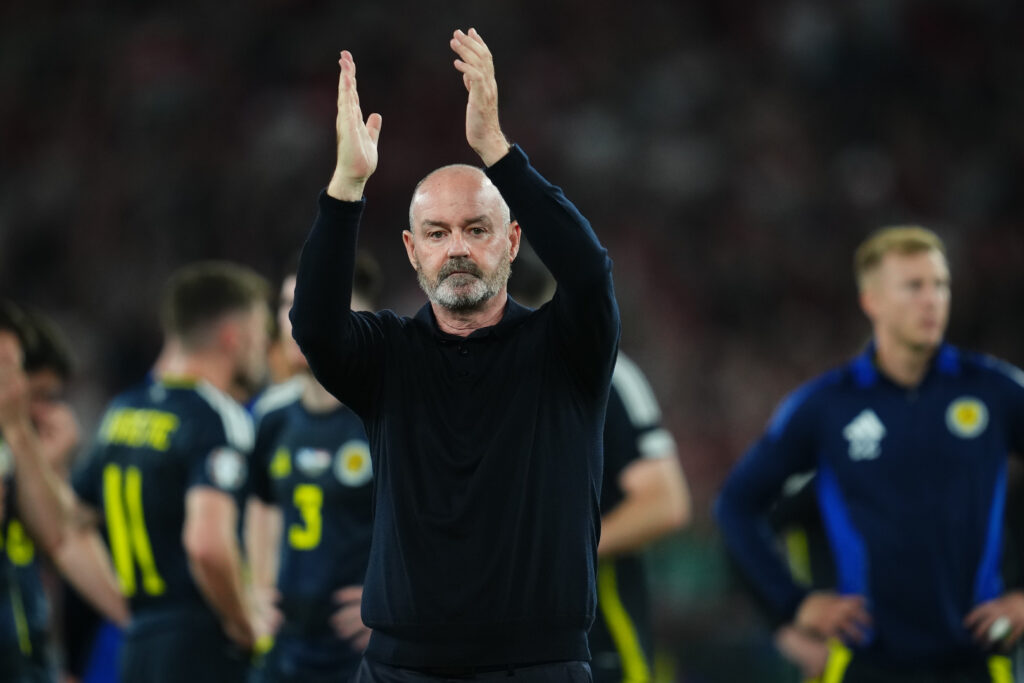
x=483 y=131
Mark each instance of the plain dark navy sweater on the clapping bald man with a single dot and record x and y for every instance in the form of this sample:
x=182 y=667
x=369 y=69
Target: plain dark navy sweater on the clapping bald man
x=487 y=450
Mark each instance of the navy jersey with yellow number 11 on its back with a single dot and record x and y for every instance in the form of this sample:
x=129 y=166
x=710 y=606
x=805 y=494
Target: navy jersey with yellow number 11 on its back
x=155 y=444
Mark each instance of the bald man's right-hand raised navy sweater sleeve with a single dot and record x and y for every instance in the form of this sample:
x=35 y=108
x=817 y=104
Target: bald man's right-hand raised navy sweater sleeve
x=586 y=320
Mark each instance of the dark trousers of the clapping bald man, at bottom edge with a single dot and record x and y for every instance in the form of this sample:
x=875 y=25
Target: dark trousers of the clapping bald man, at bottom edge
x=560 y=672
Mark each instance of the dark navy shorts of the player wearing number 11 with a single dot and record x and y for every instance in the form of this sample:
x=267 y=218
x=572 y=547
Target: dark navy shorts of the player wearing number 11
x=181 y=647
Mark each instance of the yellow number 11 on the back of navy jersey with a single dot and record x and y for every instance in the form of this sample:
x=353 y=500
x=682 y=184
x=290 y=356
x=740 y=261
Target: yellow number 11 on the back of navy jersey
x=130 y=540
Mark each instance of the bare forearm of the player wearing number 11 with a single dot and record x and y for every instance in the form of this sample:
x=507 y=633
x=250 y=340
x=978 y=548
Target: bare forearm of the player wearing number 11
x=211 y=543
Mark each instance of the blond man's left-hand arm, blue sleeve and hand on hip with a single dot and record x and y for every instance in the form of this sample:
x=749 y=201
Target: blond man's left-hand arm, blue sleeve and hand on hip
x=742 y=510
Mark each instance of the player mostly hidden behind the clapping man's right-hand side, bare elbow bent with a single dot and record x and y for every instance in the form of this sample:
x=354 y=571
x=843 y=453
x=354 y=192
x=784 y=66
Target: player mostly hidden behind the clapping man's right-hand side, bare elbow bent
x=645 y=497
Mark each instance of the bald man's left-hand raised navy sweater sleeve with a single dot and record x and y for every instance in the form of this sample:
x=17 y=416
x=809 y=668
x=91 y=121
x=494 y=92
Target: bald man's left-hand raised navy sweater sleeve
x=345 y=349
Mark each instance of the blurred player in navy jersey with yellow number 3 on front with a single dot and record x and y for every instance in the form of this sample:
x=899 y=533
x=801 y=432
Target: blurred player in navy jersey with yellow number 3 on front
x=312 y=464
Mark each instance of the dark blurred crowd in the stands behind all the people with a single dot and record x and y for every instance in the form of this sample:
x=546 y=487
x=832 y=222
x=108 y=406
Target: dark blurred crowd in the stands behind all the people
x=730 y=154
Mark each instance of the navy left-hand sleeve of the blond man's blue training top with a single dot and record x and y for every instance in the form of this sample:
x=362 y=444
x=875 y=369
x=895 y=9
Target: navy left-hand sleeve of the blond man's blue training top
x=743 y=507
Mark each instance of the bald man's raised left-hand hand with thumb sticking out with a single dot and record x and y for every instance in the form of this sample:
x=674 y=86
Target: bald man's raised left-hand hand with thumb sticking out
x=357 y=141
